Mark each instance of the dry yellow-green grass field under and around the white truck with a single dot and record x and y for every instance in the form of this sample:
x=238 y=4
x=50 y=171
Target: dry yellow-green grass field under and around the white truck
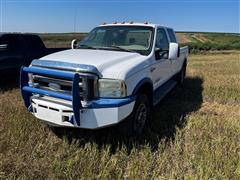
x=194 y=134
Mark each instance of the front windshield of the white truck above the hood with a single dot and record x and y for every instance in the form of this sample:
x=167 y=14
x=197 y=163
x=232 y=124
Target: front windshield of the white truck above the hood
x=120 y=38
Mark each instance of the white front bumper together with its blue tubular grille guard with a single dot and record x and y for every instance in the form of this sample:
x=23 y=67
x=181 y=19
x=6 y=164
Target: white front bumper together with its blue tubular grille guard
x=61 y=109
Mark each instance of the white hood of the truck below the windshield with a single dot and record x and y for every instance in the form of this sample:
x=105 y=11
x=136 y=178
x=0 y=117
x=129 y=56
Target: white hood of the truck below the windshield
x=110 y=64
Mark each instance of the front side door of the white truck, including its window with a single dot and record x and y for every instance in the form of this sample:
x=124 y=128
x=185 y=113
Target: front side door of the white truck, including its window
x=161 y=69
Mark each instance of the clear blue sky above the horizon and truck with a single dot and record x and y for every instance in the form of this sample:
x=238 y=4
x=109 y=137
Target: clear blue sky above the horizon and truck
x=81 y=16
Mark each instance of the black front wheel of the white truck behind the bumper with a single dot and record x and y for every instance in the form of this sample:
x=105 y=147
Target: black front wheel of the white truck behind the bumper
x=134 y=125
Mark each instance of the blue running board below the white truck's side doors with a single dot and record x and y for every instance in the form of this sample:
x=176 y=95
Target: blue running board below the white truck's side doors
x=162 y=91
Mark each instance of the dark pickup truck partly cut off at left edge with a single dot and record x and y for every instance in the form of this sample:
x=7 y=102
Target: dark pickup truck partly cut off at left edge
x=17 y=50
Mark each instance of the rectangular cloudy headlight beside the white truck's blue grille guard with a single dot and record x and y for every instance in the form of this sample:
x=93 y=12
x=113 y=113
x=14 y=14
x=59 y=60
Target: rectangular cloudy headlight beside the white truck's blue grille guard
x=111 y=88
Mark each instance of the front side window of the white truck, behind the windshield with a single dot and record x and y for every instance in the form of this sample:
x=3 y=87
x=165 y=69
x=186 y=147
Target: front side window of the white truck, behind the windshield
x=162 y=40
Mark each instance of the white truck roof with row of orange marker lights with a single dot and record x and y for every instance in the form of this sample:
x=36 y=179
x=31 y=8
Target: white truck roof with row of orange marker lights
x=133 y=24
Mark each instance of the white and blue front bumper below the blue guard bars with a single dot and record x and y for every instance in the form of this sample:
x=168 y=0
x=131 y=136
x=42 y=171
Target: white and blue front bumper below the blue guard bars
x=98 y=114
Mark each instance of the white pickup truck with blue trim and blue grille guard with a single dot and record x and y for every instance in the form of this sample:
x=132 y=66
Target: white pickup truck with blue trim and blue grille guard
x=117 y=73
